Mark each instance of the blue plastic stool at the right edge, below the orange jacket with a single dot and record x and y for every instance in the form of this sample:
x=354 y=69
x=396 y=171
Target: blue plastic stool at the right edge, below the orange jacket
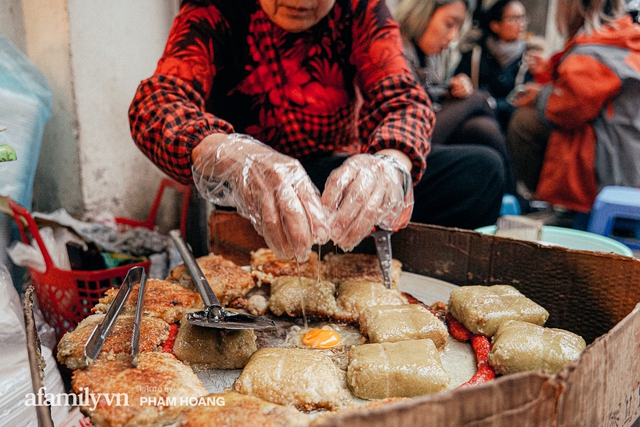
x=617 y=203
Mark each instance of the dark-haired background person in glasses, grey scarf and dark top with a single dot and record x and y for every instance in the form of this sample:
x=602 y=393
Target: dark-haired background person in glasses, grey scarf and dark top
x=499 y=59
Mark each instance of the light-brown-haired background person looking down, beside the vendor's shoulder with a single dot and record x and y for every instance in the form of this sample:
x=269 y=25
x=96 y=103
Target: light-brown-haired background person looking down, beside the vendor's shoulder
x=464 y=117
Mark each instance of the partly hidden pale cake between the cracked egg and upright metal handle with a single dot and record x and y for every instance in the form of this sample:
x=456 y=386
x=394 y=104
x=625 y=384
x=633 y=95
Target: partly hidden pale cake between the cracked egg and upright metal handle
x=356 y=296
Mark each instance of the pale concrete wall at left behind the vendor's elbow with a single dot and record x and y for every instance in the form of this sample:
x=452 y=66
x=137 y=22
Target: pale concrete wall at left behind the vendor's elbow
x=93 y=54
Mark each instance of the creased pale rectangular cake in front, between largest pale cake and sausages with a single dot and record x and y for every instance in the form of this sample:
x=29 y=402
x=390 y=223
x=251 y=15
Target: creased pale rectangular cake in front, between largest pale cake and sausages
x=401 y=369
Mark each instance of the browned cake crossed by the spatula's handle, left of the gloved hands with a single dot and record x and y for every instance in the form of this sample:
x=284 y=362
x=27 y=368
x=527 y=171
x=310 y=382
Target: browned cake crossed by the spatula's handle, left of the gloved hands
x=226 y=278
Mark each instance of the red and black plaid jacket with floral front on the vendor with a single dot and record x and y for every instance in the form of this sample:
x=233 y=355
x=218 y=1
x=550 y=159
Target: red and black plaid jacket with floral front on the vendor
x=228 y=68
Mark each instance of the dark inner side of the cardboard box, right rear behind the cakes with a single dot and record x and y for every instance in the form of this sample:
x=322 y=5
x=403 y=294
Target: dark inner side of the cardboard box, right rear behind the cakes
x=585 y=292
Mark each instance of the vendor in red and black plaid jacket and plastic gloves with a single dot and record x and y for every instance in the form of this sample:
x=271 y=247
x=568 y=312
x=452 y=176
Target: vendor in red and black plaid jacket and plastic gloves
x=288 y=73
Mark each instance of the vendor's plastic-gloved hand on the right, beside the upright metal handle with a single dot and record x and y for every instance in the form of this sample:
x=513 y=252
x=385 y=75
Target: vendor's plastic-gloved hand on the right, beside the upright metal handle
x=367 y=191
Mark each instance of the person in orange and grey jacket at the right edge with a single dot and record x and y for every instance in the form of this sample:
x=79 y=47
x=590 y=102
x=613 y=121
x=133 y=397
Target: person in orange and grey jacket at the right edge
x=571 y=137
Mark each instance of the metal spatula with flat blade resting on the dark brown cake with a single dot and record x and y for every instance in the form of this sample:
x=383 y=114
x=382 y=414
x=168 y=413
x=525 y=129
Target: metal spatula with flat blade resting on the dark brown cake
x=213 y=316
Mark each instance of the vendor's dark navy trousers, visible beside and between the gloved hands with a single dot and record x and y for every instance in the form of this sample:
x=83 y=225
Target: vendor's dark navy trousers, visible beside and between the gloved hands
x=462 y=186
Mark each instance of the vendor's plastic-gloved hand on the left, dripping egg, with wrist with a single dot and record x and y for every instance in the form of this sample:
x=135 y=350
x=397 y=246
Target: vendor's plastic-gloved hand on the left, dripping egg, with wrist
x=271 y=189
